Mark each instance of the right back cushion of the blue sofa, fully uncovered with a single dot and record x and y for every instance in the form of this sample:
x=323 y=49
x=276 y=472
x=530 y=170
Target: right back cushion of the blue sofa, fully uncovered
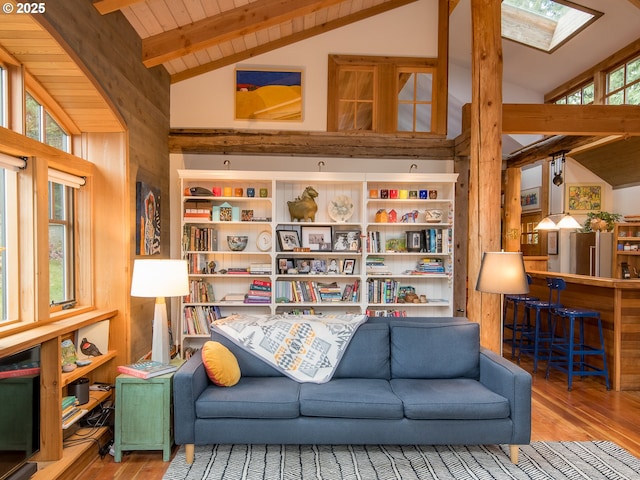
x=426 y=351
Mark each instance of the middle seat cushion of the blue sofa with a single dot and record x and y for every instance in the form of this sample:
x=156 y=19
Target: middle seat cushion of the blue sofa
x=350 y=398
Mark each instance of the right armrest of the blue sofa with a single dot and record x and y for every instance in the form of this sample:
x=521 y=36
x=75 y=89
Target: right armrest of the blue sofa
x=512 y=382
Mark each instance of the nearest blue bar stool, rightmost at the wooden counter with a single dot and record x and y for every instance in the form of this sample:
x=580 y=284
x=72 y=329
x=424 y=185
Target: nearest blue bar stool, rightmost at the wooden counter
x=563 y=349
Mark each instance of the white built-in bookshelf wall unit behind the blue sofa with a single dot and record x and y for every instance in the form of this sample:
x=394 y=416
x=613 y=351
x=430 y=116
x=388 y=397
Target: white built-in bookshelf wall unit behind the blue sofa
x=270 y=213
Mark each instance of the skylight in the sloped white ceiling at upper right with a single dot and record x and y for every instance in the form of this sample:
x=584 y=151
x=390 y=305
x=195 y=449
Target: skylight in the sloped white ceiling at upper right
x=544 y=24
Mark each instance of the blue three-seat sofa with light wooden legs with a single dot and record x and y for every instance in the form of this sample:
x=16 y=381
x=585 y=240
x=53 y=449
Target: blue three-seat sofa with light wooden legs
x=400 y=381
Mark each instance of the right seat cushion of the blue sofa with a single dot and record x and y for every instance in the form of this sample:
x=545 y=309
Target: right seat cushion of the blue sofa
x=449 y=399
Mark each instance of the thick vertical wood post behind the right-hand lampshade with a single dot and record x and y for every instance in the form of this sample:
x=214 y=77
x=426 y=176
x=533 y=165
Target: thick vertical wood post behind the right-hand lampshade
x=486 y=162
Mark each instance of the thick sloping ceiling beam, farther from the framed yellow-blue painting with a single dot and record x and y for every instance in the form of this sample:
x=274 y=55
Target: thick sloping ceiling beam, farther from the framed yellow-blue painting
x=225 y=26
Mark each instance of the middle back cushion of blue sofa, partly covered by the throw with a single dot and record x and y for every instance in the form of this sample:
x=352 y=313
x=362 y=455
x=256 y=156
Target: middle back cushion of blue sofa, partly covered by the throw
x=367 y=355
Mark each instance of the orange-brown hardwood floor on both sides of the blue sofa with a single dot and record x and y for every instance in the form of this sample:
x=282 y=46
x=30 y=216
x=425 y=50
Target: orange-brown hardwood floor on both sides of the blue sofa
x=587 y=412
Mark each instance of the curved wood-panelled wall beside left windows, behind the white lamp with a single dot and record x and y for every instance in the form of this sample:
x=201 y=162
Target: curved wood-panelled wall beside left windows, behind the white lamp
x=109 y=51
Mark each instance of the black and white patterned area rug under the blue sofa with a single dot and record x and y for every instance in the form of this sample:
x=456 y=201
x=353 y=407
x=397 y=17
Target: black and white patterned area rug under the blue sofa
x=540 y=460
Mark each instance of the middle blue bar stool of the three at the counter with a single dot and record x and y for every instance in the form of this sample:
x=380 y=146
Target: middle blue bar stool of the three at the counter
x=534 y=335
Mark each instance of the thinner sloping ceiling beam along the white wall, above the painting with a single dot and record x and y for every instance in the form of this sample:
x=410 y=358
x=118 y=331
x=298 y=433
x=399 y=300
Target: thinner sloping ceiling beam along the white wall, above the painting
x=288 y=40
